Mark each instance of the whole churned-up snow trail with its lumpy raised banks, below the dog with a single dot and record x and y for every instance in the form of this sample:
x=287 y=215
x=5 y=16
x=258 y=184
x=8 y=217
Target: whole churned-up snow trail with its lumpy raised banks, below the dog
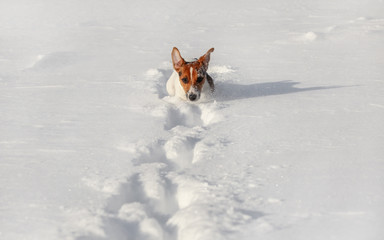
x=160 y=200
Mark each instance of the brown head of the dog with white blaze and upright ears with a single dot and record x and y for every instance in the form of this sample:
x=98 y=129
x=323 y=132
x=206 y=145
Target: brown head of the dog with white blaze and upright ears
x=192 y=75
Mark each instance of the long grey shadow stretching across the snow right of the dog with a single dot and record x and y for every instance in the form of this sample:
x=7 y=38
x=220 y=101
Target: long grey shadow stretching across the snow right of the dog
x=231 y=91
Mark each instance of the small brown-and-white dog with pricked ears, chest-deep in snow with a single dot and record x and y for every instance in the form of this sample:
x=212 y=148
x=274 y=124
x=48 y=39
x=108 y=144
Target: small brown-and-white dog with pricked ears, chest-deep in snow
x=189 y=79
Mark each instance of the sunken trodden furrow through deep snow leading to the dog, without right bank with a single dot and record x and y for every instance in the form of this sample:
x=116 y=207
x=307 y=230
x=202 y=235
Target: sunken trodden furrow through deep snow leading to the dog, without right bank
x=150 y=197
